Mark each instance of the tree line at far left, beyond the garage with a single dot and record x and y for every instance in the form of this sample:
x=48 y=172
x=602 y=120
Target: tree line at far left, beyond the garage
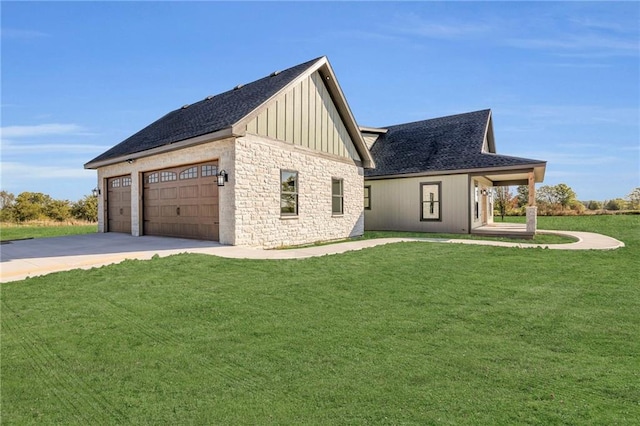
x=34 y=206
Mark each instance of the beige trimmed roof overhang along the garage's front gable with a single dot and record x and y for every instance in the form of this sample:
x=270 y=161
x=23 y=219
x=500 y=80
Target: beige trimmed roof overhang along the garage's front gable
x=323 y=67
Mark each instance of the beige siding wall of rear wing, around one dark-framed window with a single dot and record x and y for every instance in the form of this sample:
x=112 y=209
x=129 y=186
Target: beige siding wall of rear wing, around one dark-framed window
x=395 y=204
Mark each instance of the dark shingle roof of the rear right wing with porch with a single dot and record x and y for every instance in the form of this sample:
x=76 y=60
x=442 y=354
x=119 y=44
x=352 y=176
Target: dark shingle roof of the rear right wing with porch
x=440 y=144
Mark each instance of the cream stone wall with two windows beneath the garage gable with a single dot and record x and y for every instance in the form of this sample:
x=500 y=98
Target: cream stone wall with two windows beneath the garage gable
x=257 y=190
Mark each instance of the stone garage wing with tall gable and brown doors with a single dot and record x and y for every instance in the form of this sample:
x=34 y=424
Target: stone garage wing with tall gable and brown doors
x=279 y=161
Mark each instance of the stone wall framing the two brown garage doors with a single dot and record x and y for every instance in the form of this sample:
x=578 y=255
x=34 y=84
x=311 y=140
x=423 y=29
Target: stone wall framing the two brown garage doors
x=222 y=150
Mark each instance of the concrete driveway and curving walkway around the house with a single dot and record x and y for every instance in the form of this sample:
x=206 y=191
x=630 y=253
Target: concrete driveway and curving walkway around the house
x=29 y=258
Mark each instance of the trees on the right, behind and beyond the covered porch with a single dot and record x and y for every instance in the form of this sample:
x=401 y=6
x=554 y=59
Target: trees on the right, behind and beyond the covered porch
x=558 y=200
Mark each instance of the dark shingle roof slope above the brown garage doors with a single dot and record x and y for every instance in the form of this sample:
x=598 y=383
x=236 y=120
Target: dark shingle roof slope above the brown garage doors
x=206 y=116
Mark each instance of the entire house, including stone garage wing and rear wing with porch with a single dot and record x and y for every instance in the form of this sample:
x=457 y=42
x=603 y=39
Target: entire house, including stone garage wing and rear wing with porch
x=281 y=161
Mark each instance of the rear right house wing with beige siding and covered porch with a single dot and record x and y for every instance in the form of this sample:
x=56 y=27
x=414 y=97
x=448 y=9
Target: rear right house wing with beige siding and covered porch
x=437 y=175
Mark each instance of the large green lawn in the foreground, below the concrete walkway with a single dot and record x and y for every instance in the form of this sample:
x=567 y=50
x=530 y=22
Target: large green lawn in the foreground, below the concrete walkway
x=410 y=333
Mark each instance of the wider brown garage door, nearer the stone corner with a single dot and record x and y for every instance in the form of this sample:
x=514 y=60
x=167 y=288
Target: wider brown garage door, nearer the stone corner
x=182 y=202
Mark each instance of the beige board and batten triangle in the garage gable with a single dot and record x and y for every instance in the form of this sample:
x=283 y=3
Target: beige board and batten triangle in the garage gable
x=306 y=116
